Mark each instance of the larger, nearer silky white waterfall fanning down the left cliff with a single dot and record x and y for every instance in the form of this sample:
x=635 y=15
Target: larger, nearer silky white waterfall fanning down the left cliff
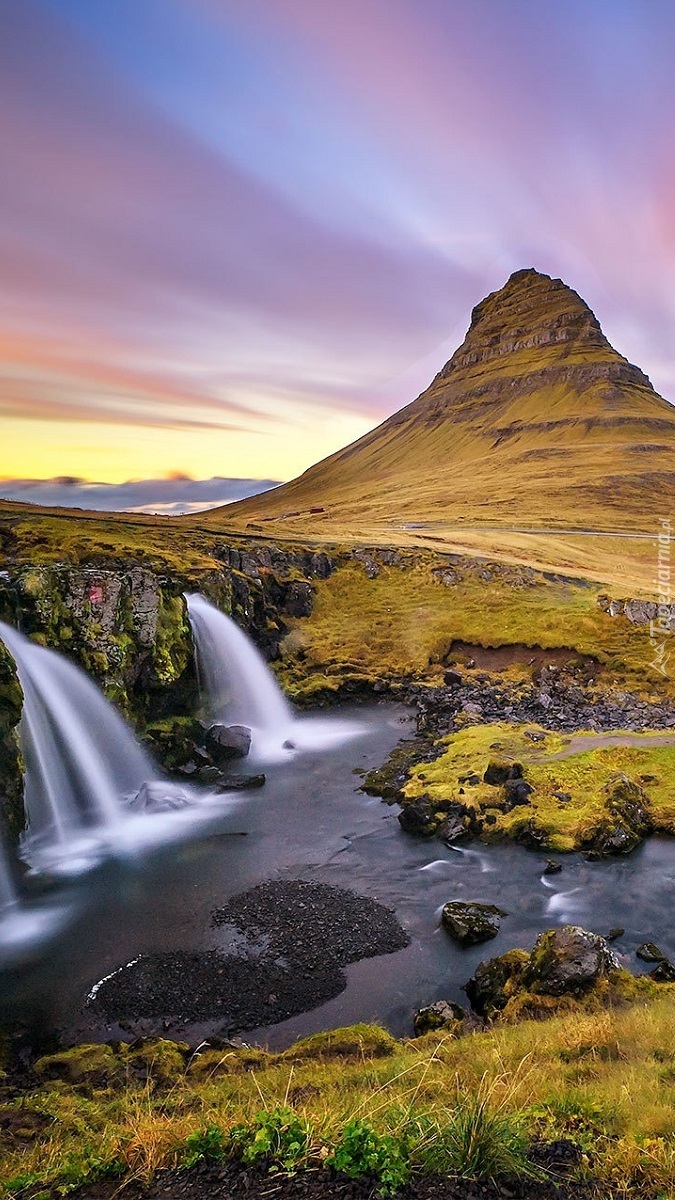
x=87 y=779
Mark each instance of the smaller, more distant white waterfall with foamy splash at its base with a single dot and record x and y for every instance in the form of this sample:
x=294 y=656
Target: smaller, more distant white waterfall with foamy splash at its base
x=238 y=688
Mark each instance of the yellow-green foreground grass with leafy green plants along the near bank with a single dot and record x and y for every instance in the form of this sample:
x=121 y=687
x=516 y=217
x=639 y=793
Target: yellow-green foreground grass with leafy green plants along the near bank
x=471 y=1107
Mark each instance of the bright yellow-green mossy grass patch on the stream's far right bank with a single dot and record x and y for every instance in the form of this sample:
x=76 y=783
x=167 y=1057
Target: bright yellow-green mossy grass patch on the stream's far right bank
x=586 y=775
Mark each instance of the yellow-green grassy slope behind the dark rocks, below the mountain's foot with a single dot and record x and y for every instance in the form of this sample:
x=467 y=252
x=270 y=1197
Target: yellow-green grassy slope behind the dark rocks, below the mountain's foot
x=403 y=625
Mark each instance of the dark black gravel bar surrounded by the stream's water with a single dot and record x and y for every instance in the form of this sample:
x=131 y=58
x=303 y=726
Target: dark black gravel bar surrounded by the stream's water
x=285 y=946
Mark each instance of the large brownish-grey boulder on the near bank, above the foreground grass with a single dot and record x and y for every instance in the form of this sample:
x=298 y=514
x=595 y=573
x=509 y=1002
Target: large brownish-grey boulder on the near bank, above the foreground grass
x=568 y=961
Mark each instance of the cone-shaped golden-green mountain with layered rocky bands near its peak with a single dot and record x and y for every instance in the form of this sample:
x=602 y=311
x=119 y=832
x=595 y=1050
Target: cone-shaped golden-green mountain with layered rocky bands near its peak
x=535 y=422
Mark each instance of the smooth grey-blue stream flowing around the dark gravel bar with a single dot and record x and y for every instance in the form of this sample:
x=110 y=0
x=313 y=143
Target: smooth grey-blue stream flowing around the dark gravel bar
x=312 y=823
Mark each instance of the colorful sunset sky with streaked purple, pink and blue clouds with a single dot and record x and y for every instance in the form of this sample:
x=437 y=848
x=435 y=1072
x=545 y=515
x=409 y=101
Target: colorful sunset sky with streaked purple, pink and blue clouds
x=236 y=235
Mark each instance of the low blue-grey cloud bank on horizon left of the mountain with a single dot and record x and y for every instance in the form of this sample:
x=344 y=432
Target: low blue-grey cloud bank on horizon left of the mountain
x=168 y=497
